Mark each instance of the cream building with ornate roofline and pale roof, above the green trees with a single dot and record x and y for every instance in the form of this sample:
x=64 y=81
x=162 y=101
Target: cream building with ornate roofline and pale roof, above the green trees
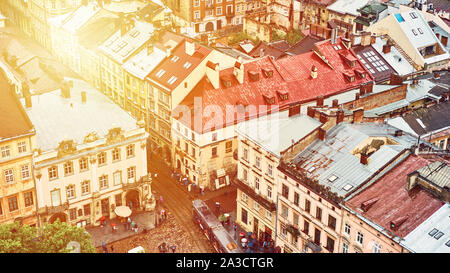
x=90 y=156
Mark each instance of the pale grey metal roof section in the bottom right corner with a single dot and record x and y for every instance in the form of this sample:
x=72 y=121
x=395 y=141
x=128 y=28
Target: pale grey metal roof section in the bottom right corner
x=433 y=235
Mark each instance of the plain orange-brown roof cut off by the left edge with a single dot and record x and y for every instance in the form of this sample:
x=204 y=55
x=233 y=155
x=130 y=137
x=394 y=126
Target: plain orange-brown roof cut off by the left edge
x=13 y=119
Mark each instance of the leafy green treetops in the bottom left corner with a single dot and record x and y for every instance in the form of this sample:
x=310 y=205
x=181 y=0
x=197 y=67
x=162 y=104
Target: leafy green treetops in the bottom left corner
x=17 y=238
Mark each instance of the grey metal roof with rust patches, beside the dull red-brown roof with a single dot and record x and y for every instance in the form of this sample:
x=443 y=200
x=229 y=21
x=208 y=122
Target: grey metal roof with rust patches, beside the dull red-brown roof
x=333 y=157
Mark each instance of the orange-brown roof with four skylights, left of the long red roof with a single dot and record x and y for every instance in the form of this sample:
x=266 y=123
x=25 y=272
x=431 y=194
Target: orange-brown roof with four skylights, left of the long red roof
x=176 y=68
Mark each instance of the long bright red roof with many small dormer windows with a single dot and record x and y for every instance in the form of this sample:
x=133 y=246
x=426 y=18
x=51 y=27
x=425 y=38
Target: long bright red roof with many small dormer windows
x=291 y=75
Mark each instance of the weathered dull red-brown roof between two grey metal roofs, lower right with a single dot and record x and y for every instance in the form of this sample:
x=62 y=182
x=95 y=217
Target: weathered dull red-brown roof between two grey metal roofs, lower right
x=395 y=203
